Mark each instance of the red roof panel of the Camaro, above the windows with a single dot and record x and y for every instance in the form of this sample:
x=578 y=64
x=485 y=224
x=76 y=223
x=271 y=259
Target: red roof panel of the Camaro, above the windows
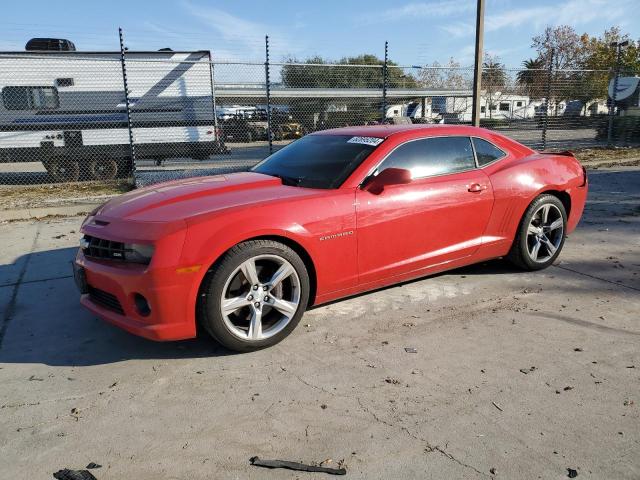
x=384 y=131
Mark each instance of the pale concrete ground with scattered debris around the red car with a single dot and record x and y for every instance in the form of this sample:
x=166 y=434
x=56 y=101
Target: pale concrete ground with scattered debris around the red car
x=516 y=375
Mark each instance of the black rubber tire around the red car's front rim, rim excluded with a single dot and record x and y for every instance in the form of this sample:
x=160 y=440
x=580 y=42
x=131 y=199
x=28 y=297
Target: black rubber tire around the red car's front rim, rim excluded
x=209 y=311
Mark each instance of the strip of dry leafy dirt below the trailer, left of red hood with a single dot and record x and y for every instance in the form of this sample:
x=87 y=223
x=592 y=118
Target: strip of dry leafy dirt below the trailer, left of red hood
x=34 y=196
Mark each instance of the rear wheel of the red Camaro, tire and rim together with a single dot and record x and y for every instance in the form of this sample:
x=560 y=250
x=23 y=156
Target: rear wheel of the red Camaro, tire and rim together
x=541 y=234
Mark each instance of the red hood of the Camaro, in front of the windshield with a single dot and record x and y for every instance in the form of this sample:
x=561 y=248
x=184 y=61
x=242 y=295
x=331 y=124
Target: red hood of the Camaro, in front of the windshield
x=194 y=197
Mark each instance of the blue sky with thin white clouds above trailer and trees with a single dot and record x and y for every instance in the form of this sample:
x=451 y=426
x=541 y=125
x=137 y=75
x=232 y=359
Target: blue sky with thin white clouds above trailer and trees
x=418 y=32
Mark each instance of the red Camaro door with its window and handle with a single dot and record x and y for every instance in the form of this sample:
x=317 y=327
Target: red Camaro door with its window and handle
x=440 y=216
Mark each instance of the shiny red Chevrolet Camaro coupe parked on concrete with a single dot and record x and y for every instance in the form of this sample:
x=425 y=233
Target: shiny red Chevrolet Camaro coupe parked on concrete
x=333 y=214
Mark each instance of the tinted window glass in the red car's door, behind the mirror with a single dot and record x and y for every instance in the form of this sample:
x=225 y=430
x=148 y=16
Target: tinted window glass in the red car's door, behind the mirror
x=432 y=156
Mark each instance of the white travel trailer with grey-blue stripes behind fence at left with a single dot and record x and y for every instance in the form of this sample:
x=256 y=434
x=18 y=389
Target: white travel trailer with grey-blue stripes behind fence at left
x=67 y=109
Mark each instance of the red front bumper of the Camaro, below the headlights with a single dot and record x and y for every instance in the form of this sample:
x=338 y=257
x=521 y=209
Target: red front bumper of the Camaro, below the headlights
x=170 y=296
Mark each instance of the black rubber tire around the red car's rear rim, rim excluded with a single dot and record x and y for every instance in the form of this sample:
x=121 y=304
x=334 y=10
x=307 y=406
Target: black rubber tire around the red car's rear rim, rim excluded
x=520 y=254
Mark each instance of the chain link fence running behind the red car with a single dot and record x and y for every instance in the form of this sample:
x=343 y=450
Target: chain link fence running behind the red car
x=67 y=116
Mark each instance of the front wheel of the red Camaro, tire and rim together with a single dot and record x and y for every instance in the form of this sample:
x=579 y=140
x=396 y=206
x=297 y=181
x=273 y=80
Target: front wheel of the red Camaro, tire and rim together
x=254 y=296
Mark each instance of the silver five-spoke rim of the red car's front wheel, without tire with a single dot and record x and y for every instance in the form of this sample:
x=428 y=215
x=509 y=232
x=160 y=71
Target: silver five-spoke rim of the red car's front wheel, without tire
x=260 y=297
